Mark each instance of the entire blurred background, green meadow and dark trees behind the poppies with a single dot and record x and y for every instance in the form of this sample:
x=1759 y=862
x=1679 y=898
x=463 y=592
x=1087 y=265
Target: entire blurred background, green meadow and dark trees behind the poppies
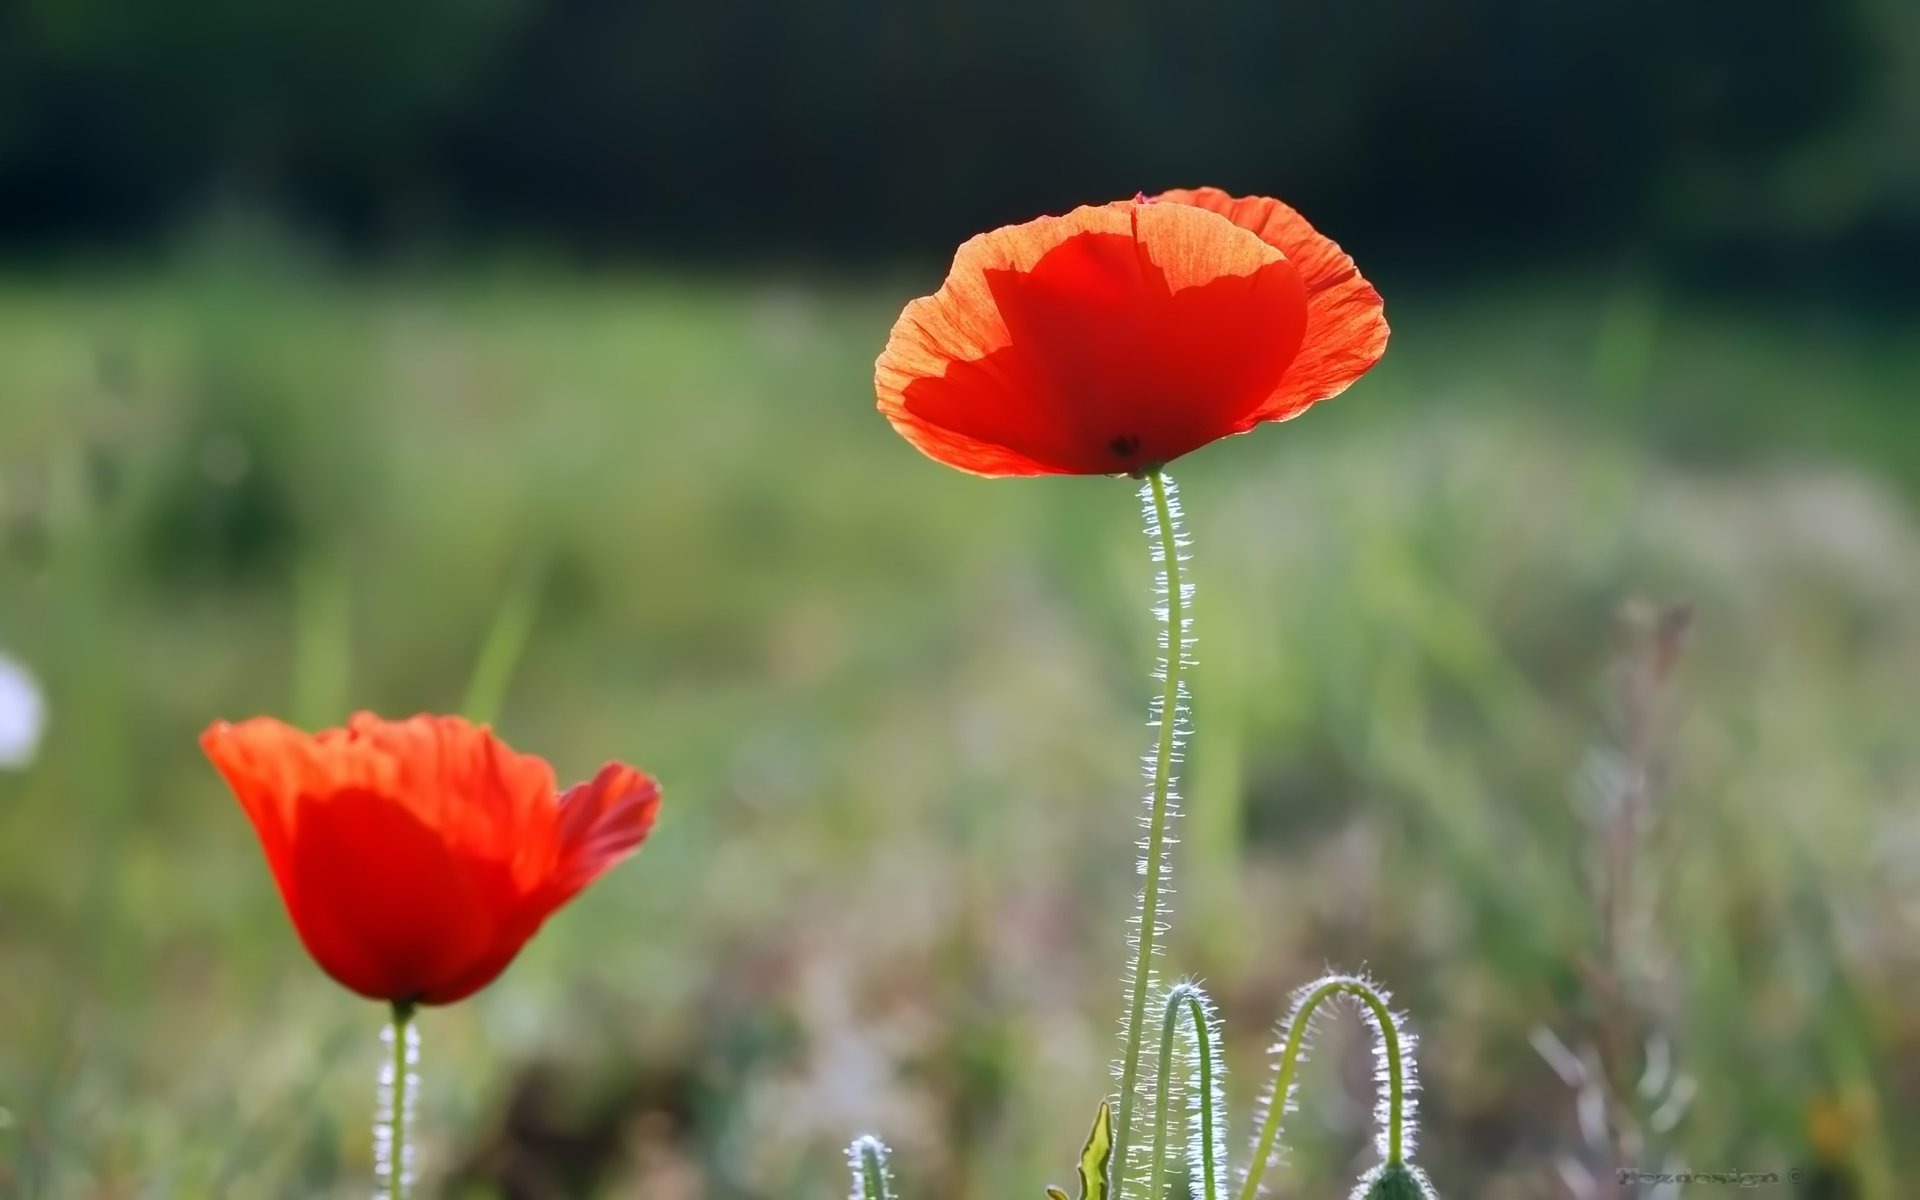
x=516 y=358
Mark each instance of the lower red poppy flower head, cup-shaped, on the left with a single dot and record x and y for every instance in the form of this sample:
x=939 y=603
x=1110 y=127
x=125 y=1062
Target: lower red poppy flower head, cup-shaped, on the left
x=418 y=857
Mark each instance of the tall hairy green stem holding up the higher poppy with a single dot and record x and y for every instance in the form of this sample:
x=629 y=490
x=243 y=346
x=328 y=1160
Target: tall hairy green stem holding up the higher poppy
x=1166 y=552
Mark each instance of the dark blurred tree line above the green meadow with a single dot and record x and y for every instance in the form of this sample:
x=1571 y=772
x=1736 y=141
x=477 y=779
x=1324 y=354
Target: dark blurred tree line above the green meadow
x=1439 y=132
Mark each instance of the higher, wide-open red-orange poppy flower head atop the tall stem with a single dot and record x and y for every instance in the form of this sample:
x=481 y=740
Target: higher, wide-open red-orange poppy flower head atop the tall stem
x=1128 y=335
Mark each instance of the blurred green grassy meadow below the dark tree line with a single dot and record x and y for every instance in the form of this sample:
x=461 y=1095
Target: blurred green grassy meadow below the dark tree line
x=898 y=711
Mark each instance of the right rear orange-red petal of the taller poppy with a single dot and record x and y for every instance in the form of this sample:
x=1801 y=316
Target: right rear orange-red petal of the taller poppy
x=1347 y=324
